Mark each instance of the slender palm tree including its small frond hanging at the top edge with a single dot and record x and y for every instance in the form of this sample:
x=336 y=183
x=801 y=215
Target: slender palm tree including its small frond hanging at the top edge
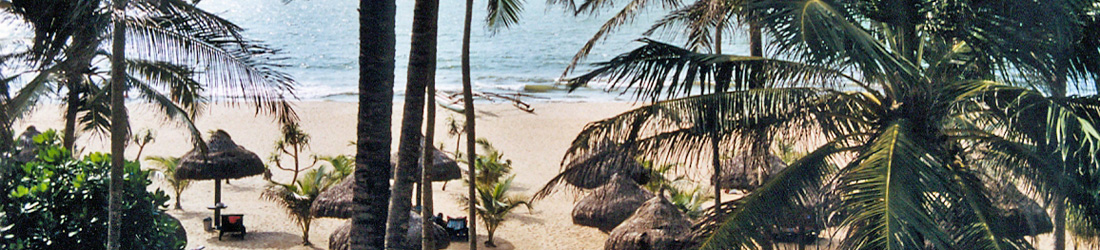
x=502 y=14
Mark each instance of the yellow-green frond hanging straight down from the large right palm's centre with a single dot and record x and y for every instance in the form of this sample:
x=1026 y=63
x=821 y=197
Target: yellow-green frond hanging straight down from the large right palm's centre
x=889 y=190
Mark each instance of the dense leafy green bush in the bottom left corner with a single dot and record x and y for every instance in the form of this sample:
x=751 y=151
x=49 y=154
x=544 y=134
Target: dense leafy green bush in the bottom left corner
x=57 y=202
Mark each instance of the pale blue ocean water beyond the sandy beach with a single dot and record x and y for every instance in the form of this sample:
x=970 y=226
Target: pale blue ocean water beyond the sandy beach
x=321 y=39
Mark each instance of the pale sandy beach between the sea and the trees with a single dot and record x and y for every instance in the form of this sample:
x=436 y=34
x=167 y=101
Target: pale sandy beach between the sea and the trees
x=535 y=143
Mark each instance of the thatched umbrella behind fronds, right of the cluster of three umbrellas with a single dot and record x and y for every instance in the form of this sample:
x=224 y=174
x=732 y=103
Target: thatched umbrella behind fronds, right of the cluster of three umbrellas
x=739 y=176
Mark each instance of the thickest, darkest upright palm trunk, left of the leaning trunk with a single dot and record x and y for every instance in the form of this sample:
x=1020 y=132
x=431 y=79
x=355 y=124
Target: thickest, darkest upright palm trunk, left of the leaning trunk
x=377 y=41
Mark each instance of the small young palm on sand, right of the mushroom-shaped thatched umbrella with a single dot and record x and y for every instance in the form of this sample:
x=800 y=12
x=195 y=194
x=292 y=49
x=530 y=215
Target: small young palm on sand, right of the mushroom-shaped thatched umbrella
x=298 y=198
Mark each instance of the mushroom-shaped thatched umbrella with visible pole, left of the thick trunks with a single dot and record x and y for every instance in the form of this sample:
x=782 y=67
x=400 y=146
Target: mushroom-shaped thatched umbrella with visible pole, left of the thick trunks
x=223 y=160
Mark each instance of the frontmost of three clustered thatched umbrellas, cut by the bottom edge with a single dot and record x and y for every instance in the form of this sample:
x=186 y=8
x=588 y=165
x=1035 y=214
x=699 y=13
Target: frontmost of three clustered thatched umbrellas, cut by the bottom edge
x=656 y=225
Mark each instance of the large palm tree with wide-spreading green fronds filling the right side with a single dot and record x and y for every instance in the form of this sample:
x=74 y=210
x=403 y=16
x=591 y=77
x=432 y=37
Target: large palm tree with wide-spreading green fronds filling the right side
x=930 y=102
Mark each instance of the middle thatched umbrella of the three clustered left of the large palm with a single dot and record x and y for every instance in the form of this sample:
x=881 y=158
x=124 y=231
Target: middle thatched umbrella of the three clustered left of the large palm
x=611 y=204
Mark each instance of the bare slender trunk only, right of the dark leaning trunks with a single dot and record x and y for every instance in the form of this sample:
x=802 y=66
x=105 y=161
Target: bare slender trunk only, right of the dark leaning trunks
x=468 y=97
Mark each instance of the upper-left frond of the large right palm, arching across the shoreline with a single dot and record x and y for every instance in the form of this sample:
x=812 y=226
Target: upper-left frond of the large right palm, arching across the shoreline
x=658 y=69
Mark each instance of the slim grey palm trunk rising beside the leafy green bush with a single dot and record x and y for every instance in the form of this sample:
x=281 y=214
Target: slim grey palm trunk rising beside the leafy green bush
x=119 y=126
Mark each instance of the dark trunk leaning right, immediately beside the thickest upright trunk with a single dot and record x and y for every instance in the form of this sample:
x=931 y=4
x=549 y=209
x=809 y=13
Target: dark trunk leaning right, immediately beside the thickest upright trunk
x=422 y=71
